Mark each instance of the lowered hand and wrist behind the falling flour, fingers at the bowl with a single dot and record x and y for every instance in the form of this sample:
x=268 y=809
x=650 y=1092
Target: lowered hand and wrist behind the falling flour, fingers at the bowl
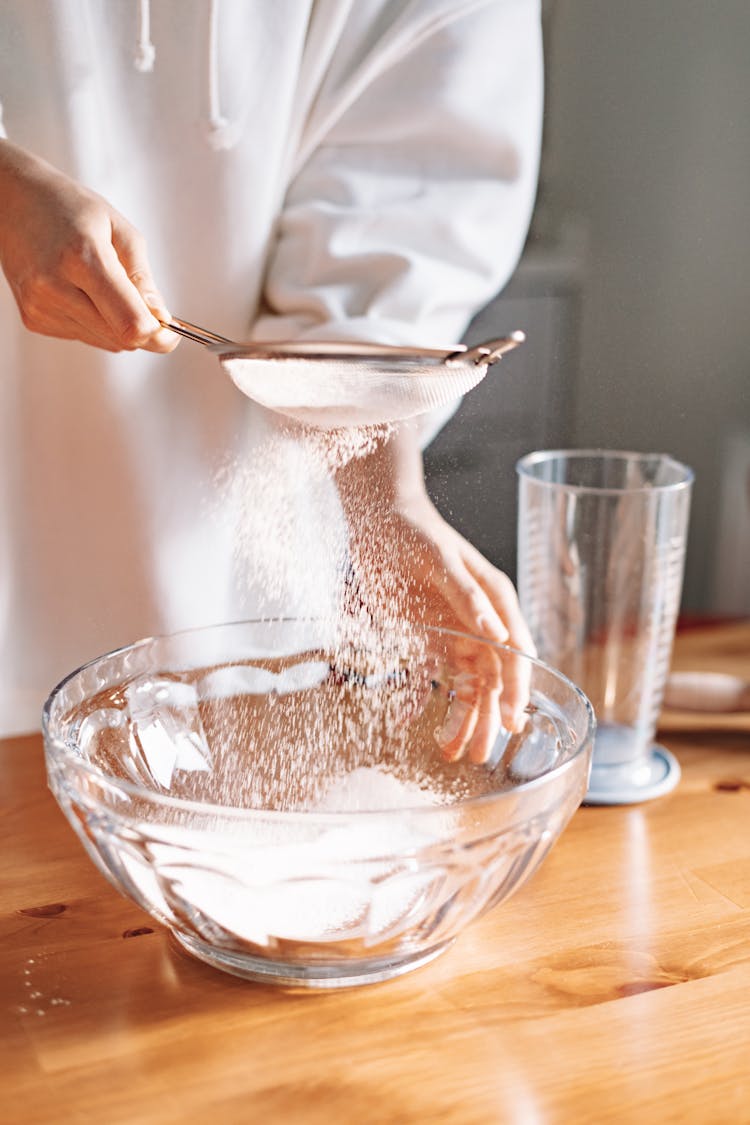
x=409 y=563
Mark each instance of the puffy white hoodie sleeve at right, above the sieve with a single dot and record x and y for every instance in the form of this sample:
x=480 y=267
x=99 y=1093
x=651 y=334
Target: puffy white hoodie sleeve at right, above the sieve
x=415 y=176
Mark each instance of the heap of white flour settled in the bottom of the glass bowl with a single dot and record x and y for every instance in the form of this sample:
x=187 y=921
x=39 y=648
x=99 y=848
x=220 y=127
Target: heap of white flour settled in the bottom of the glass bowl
x=281 y=881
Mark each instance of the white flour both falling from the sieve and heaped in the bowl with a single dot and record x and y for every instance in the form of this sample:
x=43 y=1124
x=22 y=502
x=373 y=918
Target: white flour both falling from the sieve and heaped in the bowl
x=328 y=739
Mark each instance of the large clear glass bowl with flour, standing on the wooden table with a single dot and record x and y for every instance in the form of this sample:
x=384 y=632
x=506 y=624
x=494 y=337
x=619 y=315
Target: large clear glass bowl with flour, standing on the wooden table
x=292 y=804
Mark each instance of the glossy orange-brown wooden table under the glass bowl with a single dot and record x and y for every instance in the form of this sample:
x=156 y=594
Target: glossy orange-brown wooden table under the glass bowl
x=616 y=987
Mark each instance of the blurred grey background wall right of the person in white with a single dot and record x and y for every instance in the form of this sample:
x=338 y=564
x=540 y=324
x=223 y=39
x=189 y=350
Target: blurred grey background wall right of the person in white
x=641 y=241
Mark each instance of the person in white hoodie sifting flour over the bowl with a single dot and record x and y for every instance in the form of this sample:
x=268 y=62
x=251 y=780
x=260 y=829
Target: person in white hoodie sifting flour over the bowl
x=305 y=169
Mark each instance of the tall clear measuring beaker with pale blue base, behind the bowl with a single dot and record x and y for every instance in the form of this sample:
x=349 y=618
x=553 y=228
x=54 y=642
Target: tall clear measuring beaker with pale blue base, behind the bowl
x=602 y=539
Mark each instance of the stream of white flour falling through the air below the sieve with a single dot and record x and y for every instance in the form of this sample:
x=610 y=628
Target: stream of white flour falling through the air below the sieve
x=299 y=555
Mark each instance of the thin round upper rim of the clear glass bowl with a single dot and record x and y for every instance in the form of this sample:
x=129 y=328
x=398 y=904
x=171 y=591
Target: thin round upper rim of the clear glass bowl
x=56 y=748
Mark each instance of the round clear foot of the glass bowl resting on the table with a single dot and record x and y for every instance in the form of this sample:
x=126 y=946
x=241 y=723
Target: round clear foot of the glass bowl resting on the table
x=308 y=977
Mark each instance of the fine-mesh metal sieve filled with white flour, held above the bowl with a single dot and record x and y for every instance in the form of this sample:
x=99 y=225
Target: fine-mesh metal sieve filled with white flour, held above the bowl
x=329 y=385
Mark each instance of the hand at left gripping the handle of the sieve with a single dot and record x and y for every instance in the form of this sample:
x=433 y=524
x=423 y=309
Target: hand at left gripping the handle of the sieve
x=77 y=268
